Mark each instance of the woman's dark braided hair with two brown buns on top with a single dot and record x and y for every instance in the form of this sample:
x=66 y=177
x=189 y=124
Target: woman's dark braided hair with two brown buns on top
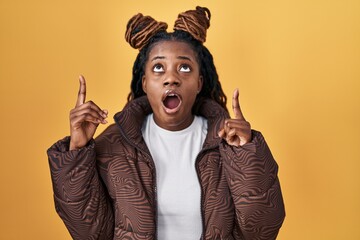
x=144 y=33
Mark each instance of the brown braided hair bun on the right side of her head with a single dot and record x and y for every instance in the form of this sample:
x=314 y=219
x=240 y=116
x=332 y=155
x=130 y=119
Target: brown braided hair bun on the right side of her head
x=195 y=22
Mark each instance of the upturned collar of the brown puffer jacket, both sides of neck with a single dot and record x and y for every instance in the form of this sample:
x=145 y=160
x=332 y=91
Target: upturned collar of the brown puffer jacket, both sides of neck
x=131 y=118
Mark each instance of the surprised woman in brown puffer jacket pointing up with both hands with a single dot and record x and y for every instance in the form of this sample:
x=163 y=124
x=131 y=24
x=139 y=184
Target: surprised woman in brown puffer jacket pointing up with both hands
x=174 y=165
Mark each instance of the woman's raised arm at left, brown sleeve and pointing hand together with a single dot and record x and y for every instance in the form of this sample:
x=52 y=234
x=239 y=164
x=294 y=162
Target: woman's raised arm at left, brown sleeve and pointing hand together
x=81 y=199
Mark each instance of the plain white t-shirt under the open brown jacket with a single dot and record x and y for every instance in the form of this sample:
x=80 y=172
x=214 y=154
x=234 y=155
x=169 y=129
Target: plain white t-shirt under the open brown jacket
x=178 y=187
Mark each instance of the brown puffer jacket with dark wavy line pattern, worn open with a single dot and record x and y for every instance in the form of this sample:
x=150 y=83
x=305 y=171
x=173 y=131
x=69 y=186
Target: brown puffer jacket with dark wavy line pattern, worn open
x=107 y=190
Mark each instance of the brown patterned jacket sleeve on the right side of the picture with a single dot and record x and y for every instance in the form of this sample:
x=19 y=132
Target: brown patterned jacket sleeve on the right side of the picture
x=251 y=173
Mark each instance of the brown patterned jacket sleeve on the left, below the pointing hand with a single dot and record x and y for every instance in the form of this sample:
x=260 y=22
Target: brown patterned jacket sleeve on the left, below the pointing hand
x=80 y=196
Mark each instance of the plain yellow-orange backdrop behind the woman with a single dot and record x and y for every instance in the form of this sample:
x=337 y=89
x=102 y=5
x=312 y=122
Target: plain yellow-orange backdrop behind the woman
x=297 y=64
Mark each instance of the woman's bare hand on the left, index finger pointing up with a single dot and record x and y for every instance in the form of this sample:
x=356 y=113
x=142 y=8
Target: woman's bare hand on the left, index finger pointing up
x=84 y=119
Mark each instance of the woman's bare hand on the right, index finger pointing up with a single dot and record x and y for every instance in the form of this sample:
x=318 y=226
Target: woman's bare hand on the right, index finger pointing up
x=236 y=132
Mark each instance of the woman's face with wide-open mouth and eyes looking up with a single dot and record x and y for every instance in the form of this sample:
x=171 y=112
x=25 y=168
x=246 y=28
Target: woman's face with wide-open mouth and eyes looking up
x=171 y=82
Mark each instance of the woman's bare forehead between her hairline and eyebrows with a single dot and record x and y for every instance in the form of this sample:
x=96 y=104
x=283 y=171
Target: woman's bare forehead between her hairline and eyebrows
x=172 y=48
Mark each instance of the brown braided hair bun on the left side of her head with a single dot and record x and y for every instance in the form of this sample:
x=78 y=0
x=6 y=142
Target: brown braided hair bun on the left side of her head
x=141 y=28
